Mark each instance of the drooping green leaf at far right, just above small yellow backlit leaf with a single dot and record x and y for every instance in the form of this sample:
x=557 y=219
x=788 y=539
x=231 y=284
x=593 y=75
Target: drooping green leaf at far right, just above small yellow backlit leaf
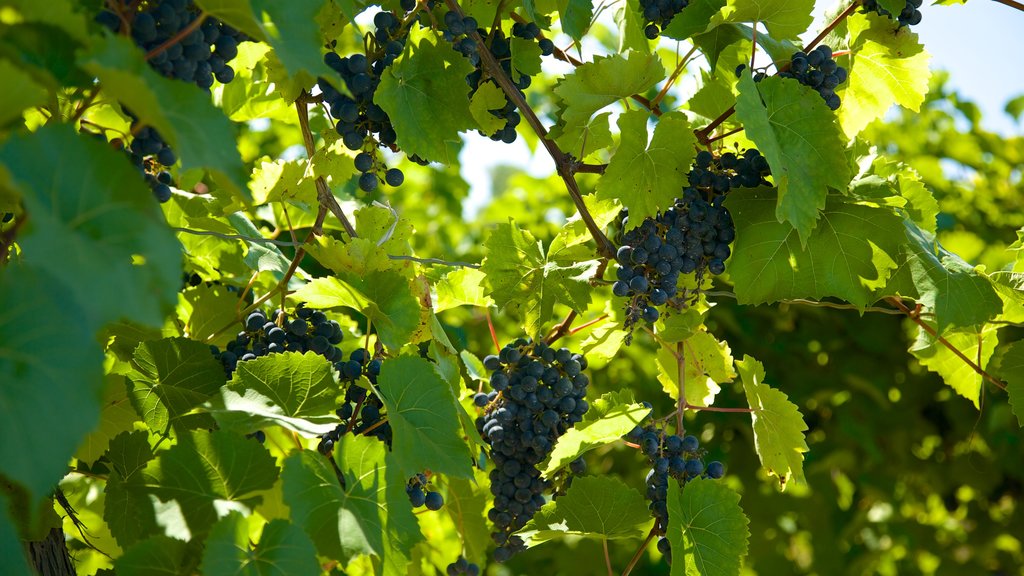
x=944 y=283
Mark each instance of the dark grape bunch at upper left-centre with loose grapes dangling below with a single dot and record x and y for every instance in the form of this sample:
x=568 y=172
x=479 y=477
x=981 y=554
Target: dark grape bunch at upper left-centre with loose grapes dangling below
x=363 y=125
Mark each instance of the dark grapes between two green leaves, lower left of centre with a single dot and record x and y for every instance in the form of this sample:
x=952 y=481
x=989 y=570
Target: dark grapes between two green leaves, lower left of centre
x=362 y=413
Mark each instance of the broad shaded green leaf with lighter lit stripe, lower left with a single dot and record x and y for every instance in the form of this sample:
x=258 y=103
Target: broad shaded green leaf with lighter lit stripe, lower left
x=210 y=472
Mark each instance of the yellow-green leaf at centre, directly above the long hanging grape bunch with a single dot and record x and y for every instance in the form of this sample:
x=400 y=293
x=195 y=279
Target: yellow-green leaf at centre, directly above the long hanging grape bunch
x=523 y=279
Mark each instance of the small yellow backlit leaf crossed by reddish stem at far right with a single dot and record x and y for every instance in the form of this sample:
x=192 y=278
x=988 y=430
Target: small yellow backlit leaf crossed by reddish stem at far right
x=978 y=345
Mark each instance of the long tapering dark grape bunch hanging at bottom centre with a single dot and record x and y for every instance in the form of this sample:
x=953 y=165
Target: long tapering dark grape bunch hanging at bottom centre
x=539 y=394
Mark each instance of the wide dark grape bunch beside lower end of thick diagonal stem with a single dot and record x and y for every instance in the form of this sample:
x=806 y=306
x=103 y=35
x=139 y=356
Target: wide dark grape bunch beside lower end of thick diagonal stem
x=689 y=238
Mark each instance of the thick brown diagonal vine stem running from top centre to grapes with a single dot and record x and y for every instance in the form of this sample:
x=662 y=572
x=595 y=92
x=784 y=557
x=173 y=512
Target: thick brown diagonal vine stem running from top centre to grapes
x=564 y=162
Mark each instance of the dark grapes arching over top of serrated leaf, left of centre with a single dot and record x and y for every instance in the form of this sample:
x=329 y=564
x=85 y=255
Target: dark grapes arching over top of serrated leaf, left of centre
x=309 y=331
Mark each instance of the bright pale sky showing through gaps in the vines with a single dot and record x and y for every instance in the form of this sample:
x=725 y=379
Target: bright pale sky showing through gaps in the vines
x=980 y=44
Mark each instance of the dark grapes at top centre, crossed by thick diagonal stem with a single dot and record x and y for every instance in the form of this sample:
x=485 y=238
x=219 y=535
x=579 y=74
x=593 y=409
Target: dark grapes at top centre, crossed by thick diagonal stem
x=458 y=31
